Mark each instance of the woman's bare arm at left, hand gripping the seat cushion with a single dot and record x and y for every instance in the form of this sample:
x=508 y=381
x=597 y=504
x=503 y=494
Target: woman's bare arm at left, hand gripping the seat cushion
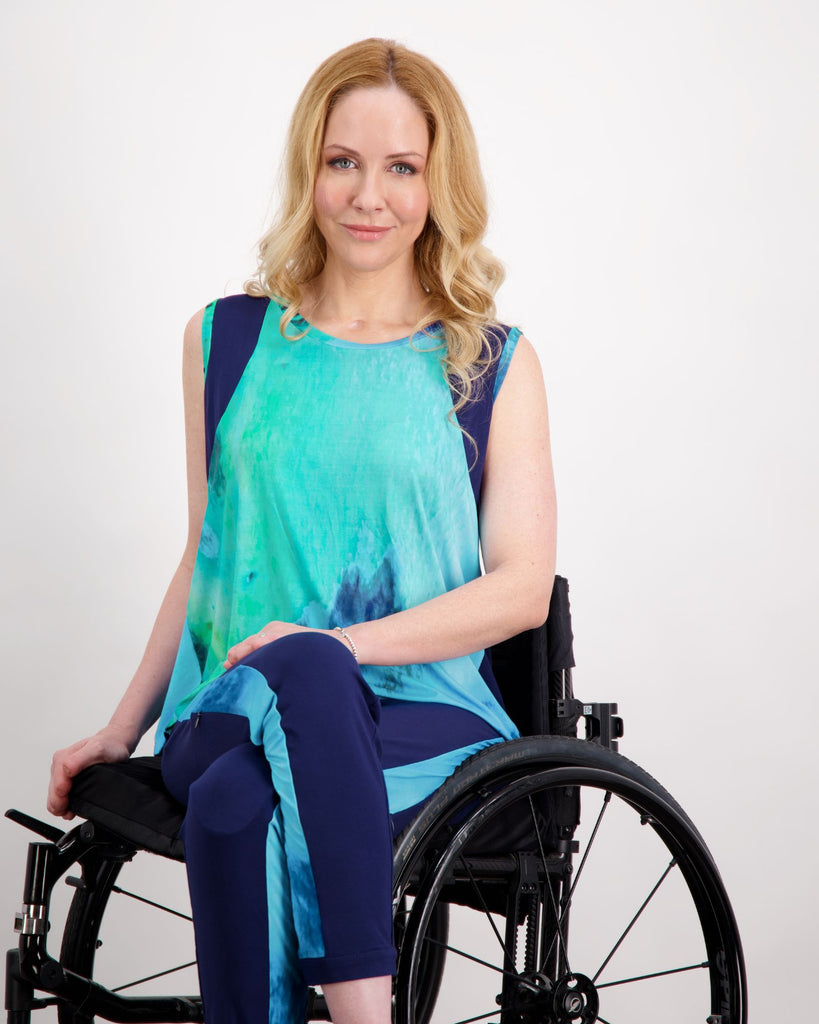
x=142 y=703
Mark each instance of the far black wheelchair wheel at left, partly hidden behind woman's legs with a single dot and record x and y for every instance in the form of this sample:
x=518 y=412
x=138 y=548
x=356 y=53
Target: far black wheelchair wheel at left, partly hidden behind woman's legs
x=147 y=920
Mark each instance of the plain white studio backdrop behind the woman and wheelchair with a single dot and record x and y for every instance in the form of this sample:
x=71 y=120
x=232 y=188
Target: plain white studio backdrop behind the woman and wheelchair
x=654 y=172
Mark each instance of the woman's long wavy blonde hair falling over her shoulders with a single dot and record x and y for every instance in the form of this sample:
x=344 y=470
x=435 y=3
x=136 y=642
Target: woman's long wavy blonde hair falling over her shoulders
x=459 y=274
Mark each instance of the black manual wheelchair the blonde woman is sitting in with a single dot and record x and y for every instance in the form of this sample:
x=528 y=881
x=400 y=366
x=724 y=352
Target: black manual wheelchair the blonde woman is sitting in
x=528 y=838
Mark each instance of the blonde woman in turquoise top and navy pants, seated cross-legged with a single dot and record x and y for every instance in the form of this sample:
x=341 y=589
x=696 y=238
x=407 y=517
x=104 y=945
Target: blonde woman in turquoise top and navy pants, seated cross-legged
x=367 y=433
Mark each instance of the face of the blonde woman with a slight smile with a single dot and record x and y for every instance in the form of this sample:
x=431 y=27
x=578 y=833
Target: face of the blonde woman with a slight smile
x=371 y=198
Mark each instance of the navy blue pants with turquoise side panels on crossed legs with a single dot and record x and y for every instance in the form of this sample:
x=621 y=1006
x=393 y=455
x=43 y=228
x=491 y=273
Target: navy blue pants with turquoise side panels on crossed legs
x=288 y=834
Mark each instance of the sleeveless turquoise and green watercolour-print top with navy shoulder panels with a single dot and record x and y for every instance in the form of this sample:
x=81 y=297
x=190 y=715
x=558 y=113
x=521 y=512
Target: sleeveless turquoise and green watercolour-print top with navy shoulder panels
x=341 y=489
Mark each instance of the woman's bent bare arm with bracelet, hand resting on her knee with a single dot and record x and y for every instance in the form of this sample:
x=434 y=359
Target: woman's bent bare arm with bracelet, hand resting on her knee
x=519 y=530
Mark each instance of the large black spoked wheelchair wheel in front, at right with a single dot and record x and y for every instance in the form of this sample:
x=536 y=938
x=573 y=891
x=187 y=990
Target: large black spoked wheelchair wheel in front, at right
x=579 y=891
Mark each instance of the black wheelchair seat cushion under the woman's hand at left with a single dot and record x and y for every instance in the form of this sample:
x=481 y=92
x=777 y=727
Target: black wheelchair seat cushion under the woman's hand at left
x=130 y=799
